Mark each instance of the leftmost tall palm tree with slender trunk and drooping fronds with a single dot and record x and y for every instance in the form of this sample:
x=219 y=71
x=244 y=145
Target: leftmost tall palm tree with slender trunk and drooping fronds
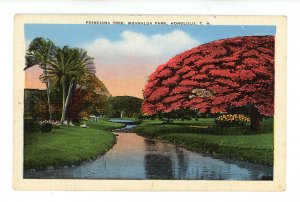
x=40 y=52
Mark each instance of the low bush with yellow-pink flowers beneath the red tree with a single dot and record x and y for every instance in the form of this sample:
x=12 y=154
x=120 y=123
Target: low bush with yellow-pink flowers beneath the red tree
x=230 y=120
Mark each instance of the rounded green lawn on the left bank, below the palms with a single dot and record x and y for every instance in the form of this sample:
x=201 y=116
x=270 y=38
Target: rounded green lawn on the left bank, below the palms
x=68 y=145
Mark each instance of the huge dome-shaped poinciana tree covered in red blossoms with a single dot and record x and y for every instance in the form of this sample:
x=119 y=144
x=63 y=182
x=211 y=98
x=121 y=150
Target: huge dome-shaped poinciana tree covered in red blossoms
x=216 y=77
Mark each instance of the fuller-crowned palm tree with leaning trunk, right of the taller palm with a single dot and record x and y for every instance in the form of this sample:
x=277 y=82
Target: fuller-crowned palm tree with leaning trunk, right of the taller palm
x=69 y=67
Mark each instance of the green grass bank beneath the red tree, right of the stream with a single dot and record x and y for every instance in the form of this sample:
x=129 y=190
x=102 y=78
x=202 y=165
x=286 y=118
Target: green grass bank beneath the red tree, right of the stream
x=205 y=137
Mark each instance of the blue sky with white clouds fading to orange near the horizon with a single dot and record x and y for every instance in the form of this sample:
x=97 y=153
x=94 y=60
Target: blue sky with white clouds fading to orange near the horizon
x=125 y=55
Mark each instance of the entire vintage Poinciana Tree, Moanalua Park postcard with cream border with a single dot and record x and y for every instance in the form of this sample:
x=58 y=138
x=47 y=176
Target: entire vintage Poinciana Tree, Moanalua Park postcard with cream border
x=149 y=102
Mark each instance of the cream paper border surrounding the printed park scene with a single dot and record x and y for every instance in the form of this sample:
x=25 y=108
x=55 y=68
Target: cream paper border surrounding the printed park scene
x=279 y=182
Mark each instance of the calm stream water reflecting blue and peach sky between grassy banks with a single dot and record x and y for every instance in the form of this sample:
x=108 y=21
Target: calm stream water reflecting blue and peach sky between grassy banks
x=134 y=157
